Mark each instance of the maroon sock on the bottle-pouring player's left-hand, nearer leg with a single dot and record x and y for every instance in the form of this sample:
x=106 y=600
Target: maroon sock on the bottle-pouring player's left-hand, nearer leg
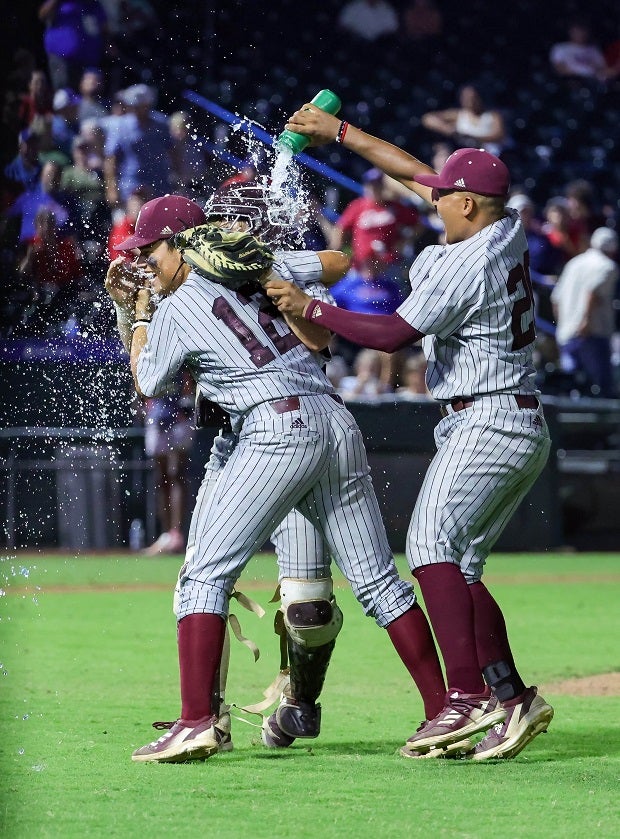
x=451 y=613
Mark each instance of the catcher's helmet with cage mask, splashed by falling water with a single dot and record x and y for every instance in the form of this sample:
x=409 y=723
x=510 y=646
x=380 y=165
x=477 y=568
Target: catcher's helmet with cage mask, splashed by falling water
x=251 y=202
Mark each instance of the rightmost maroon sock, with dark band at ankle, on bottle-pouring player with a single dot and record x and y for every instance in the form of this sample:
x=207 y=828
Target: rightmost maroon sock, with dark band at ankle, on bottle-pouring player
x=493 y=648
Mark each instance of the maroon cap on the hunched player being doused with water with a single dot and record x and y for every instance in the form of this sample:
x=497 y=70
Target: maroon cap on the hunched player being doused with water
x=161 y=218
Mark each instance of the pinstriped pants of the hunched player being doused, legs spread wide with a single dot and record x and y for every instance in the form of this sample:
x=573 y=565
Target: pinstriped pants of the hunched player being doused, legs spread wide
x=312 y=459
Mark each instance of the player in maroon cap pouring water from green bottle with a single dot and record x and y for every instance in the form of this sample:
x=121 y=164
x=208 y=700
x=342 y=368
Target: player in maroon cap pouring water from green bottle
x=472 y=306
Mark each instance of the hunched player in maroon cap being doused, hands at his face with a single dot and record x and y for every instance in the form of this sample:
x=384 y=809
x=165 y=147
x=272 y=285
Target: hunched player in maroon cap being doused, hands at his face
x=299 y=447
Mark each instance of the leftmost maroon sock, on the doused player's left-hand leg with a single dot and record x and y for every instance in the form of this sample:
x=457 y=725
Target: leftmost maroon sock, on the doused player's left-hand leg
x=201 y=640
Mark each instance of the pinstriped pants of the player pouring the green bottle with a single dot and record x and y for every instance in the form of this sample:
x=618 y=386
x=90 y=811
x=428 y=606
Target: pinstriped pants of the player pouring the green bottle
x=488 y=457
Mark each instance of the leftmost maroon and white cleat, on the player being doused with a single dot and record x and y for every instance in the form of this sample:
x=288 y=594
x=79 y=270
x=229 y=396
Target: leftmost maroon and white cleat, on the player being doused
x=183 y=742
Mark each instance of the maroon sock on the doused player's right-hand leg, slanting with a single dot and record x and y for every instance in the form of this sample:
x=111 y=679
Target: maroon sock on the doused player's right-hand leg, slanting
x=413 y=641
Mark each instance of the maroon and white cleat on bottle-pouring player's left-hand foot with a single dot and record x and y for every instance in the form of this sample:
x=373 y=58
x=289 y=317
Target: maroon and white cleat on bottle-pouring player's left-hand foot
x=463 y=714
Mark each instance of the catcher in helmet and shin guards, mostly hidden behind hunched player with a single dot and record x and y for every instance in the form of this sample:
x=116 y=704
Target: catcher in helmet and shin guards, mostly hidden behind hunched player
x=303 y=561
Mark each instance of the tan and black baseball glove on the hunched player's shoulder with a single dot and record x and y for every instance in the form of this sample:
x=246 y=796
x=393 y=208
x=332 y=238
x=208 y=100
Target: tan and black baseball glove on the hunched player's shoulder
x=230 y=259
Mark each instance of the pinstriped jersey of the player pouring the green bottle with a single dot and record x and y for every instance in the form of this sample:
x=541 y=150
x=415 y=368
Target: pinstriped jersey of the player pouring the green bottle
x=473 y=301
